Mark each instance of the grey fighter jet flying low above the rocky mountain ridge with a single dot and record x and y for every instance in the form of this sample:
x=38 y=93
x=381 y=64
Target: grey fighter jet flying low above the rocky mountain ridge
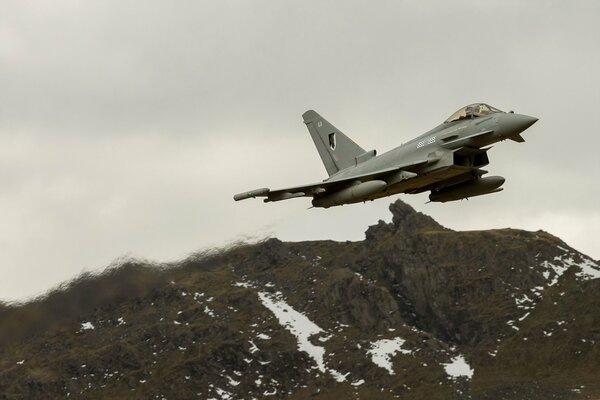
x=446 y=160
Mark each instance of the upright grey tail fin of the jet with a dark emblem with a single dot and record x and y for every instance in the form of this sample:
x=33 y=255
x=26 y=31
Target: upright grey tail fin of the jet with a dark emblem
x=337 y=150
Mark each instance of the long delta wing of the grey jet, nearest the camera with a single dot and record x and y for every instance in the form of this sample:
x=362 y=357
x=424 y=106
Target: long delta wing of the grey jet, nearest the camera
x=330 y=185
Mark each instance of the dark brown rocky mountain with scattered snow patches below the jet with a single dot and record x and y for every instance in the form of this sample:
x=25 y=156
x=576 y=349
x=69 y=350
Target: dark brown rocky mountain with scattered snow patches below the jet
x=414 y=311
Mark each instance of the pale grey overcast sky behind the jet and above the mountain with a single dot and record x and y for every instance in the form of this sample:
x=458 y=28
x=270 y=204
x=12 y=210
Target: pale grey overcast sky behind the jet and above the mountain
x=126 y=127
